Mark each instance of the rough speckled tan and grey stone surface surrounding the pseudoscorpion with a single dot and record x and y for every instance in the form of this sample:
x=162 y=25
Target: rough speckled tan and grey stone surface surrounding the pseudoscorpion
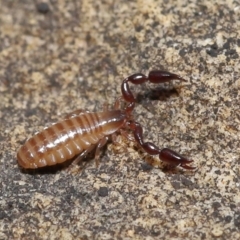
x=64 y=55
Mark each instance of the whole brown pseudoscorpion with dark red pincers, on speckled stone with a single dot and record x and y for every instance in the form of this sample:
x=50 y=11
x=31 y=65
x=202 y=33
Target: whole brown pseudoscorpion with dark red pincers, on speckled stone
x=82 y=131
